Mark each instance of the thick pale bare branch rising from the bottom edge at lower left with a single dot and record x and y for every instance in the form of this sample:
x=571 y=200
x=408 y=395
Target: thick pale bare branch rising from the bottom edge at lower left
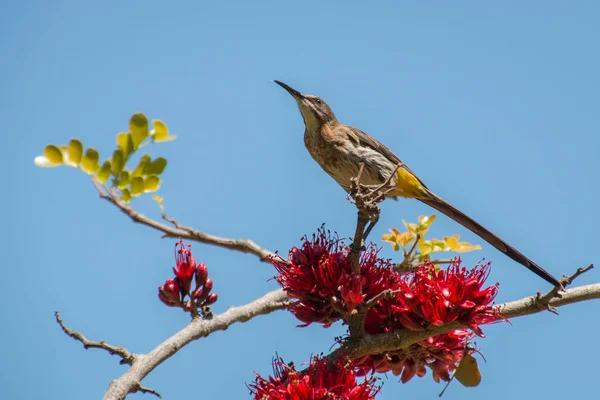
x=143 y=364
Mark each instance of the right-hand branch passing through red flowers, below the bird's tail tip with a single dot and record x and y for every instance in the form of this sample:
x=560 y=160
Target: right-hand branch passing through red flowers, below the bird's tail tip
x=376 y=344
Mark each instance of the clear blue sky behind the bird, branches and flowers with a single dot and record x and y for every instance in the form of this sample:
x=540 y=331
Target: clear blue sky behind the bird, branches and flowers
x=495 y=106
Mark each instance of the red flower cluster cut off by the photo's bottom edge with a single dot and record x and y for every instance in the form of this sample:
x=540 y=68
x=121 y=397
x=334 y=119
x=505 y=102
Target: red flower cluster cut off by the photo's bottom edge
x=322 y=380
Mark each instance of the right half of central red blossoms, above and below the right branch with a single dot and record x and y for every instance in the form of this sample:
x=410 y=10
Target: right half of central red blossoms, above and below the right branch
x=430 y=297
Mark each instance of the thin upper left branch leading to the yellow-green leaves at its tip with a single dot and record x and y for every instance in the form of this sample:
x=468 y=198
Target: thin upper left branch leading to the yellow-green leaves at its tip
x=241 y=245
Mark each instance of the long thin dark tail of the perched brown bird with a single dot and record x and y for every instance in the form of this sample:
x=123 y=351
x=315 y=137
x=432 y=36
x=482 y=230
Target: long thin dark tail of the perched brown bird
x=434 y=201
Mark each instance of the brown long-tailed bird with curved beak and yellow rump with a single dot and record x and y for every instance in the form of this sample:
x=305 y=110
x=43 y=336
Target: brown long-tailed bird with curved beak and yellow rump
x=341 y=149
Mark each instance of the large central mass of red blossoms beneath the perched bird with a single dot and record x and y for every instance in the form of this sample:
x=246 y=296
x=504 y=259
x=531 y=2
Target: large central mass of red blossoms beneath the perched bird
x=319 y=276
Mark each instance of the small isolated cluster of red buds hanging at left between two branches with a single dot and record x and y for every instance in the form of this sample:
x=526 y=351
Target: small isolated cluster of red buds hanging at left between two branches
x=178 y=292
